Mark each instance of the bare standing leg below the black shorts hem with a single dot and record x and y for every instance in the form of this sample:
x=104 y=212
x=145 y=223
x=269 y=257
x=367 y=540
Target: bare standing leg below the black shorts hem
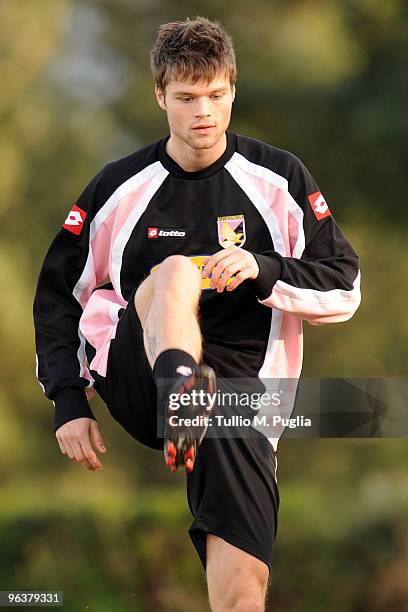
x=236 y=580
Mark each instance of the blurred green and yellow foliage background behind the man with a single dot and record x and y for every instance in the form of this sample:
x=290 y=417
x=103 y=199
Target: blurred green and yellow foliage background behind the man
x=324 y=79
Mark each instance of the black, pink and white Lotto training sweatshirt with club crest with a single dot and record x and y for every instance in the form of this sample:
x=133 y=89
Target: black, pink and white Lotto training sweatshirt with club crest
x=140 y=209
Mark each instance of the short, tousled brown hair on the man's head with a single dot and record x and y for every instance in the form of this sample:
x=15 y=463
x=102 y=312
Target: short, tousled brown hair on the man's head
x=192 y=50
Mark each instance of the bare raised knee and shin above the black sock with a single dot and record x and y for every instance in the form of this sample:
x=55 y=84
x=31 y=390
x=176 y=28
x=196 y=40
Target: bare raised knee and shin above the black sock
x=167 y=303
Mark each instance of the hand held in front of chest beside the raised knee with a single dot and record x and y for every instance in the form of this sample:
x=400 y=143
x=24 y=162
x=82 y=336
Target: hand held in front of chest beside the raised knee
x=229 y=262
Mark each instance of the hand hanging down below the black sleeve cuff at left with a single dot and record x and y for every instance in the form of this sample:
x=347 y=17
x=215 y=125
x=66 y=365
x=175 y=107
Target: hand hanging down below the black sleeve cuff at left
x=74 y=439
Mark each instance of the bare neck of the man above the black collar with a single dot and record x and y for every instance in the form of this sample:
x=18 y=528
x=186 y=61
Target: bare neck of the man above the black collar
x=193 y=160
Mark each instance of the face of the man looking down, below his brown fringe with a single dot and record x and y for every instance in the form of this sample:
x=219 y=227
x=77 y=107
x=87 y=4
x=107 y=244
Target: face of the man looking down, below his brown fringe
x=198 y=114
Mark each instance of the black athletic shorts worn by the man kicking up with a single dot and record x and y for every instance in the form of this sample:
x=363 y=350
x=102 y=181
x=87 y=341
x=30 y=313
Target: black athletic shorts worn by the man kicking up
x=232 y=491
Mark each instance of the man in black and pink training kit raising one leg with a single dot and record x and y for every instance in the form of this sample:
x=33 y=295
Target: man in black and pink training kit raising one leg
x=217 y=247
